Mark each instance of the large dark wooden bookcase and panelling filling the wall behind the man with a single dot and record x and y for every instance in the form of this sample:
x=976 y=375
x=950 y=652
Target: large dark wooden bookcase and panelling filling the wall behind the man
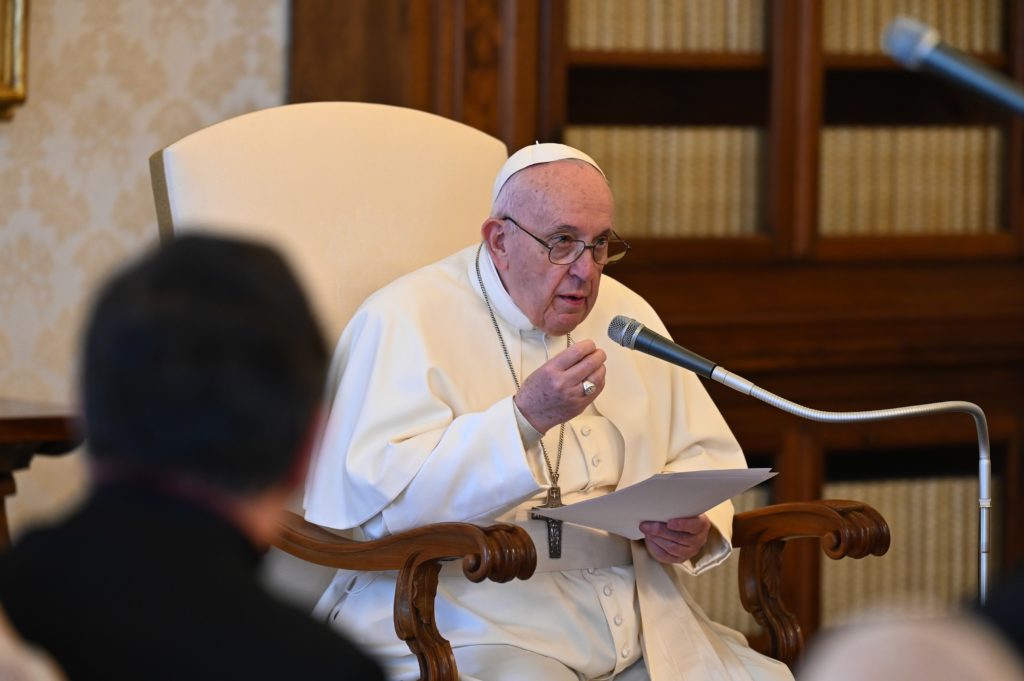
x=841 y=232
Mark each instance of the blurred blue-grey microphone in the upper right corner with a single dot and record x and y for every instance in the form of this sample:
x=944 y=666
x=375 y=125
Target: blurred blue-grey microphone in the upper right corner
x=918 y=47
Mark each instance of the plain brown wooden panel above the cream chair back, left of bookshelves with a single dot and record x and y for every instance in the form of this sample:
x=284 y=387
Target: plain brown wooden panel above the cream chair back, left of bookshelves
x=472 y=61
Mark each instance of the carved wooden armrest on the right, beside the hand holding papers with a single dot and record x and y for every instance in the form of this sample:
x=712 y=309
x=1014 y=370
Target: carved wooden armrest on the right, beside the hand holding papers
x=846 y=529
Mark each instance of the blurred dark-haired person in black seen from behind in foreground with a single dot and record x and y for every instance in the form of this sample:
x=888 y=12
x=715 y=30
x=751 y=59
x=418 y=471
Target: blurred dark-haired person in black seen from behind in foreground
x=201 y=386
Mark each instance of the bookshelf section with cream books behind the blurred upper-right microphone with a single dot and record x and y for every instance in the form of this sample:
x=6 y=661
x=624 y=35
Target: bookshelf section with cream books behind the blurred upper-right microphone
x=948 y=157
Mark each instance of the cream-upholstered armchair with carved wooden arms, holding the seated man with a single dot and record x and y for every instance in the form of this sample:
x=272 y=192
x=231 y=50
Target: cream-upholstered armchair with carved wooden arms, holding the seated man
x=356 y=195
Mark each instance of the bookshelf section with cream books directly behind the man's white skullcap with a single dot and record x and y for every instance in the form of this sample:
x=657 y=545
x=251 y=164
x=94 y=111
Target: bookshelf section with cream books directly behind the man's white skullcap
x=689 y=81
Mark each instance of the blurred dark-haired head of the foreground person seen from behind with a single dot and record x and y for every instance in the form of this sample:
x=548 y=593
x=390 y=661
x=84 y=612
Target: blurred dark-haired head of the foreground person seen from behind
x=202 y=372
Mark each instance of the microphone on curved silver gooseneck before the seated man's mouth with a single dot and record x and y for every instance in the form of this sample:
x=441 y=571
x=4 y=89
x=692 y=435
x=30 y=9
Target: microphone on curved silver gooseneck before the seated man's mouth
x=630 y=333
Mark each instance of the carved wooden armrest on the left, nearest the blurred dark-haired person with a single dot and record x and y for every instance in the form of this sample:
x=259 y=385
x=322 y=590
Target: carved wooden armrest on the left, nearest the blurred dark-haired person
x=498 y=552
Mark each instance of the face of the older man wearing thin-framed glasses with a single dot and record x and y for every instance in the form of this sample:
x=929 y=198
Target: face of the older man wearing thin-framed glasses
x=561 y=198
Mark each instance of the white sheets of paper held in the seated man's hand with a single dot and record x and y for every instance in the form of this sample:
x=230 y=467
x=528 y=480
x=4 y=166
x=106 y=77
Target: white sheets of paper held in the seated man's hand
x=659 y=498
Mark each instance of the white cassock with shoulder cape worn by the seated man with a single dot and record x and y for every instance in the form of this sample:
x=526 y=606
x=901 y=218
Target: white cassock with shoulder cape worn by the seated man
x=422 y=430
